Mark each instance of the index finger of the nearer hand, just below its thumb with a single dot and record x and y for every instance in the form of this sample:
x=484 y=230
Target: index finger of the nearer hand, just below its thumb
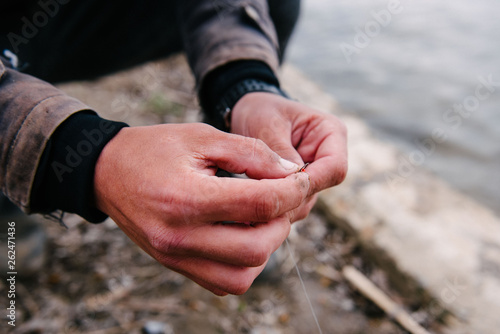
x=220 y=199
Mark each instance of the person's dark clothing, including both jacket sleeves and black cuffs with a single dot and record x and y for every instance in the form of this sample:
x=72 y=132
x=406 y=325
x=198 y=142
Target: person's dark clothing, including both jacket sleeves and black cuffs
x=60 y=40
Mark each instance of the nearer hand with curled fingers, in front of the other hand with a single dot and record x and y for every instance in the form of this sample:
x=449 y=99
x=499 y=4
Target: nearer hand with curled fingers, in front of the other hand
x=158 y=183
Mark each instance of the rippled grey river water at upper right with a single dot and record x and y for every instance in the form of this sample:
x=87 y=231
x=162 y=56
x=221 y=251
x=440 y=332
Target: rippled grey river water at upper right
x=424 y=74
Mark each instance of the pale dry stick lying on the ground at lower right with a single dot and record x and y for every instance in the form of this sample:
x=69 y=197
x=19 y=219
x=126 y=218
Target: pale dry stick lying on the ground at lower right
x=371 y=291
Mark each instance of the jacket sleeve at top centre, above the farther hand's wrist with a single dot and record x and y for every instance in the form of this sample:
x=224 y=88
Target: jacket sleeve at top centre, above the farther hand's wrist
x=217 y=32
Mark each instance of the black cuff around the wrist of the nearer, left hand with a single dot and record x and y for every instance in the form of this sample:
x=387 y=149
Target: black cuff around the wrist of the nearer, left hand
x=65 y=176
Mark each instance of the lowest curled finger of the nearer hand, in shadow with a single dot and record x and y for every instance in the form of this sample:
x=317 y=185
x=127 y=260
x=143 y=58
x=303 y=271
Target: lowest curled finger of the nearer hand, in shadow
x=220 y=278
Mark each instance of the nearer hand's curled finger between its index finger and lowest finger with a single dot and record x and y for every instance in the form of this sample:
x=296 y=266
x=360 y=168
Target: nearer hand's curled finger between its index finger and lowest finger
x=236 y=244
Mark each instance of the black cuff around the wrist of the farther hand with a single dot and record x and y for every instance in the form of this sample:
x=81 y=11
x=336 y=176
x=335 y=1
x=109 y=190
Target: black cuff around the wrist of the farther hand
x=218 y=82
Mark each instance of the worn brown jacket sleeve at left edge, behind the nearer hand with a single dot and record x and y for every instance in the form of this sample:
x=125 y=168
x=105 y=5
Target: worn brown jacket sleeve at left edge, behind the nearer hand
x=30 y=111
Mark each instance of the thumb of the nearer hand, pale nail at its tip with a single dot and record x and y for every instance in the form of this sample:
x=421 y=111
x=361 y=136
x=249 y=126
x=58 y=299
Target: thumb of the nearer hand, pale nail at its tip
x=238 y=154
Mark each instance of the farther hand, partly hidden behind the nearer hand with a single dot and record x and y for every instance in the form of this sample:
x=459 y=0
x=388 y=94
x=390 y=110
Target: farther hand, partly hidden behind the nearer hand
x=299 y=134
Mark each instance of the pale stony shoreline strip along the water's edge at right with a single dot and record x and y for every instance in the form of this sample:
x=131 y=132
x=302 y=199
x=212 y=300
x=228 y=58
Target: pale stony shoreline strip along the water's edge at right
x=436 y=244
